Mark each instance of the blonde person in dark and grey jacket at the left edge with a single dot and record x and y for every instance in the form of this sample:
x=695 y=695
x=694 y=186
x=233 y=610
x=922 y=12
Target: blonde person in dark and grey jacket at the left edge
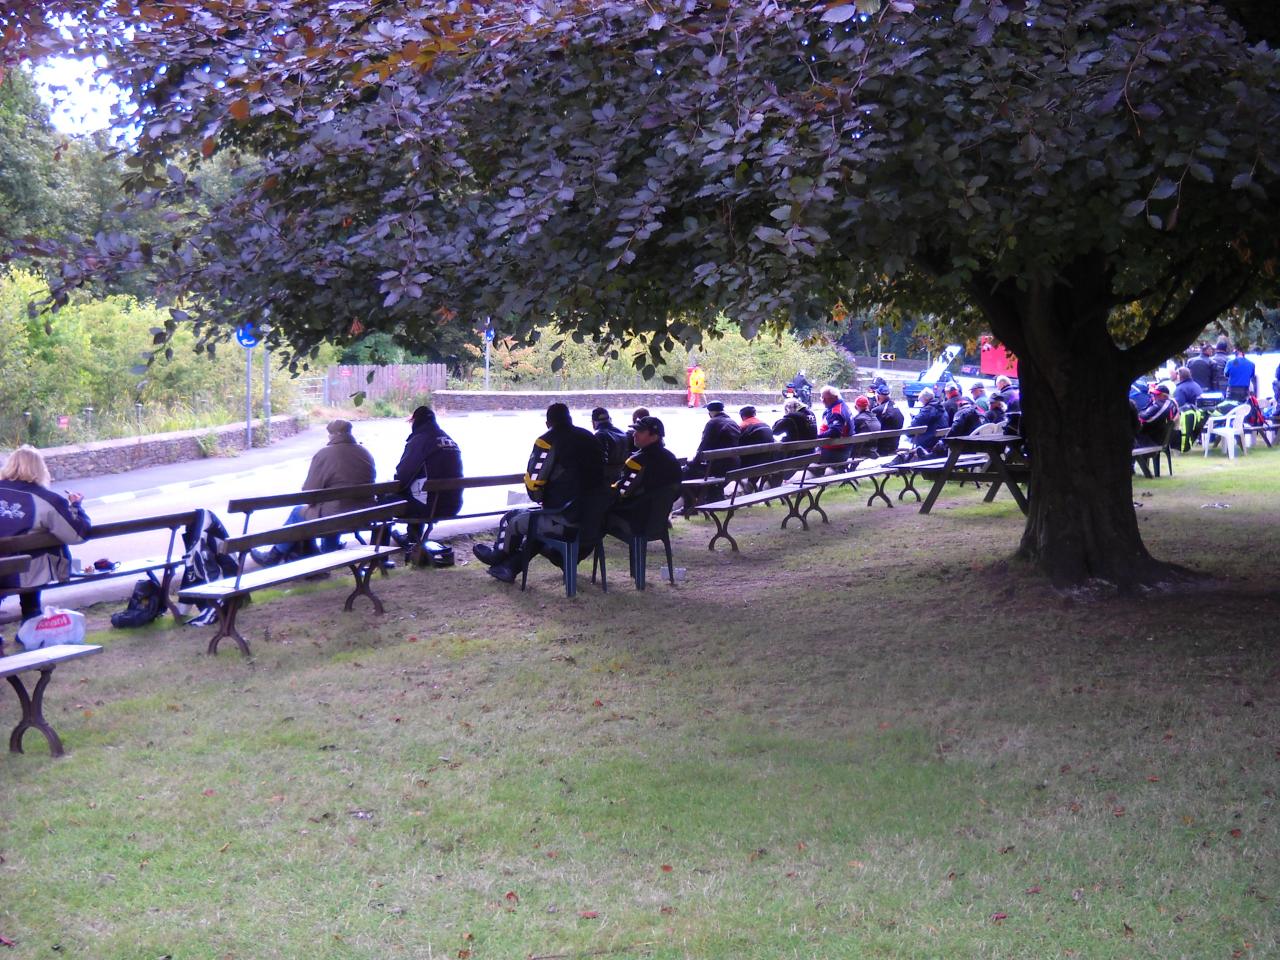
x=28 y=506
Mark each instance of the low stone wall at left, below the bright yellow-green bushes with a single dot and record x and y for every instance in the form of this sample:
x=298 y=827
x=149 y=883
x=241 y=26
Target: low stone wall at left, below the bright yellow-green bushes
x=130 y=454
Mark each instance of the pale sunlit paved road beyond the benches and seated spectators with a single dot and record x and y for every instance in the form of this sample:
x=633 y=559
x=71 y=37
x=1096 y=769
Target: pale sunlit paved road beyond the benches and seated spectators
x=491 y=442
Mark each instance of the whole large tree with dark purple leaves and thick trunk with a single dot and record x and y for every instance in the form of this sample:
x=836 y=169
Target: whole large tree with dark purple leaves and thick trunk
x=1094 y=181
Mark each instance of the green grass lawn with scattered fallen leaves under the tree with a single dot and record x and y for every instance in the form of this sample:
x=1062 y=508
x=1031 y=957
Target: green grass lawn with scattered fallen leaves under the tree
x=879 y=739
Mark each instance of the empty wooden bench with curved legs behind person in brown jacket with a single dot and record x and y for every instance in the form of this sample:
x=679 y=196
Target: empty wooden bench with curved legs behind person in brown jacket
x=231 y=593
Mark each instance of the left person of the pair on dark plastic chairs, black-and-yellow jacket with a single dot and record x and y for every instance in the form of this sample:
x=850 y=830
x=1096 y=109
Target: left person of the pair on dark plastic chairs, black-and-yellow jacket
x=566 y=476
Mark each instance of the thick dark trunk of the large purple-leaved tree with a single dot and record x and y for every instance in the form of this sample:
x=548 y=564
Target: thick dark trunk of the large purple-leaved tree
x=1082 y=528
